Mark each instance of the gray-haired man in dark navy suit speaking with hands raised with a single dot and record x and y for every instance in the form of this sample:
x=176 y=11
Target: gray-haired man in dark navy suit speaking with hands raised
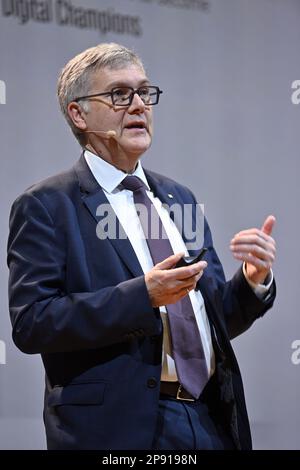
x=92 y=302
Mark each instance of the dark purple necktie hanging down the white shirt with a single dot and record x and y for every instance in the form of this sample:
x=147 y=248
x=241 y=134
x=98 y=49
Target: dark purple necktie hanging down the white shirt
x=187 y=347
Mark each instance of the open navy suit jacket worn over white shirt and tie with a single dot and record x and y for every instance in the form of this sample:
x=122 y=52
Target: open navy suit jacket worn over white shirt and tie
x=82 y=303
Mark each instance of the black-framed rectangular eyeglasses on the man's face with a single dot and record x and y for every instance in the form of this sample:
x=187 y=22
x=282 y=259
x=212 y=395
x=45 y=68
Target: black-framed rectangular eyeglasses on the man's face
x=123 y=95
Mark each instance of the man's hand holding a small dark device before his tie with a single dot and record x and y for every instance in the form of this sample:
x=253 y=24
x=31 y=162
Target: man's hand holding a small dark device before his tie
x=167 y=284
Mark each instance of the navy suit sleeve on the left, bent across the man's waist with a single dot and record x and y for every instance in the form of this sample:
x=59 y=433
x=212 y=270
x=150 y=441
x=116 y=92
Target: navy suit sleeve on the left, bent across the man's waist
x=45 y=318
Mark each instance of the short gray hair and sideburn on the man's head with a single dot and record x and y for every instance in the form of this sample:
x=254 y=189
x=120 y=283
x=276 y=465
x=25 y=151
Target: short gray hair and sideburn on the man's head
x=75 y=77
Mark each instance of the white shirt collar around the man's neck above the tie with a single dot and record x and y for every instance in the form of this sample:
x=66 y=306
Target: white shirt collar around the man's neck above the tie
x=108 y=176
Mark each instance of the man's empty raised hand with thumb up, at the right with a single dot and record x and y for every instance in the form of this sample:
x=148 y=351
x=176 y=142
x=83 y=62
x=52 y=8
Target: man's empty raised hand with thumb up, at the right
x=257 y=249
